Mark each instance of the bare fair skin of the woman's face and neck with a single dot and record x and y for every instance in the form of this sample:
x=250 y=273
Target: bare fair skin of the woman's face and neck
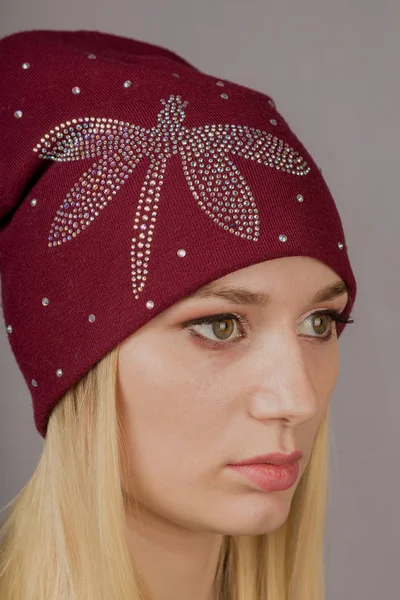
x=189 y=409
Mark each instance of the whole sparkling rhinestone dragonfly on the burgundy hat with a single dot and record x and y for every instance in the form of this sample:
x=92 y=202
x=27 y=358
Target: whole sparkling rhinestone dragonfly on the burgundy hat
x=216 y=184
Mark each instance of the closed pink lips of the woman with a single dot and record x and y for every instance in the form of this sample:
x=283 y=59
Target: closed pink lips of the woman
x=270 y=472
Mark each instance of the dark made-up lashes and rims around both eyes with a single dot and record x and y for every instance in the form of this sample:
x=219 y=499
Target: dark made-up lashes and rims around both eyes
x=334 y=314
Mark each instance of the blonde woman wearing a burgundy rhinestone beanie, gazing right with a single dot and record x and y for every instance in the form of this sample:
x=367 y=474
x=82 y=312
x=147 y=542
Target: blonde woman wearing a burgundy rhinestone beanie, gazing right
x=175 y=279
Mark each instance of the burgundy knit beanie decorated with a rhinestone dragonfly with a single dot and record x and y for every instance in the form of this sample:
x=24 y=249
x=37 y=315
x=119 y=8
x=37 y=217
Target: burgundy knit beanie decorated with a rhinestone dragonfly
x=128 y=180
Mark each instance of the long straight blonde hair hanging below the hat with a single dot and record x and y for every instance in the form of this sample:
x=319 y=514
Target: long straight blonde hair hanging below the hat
x=65 y=536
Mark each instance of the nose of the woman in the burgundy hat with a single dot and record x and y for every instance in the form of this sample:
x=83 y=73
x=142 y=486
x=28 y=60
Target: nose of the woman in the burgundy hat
x=281 y=383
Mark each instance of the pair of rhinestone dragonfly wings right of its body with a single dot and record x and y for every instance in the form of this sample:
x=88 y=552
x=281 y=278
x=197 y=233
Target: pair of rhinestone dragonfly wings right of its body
x=216 y=182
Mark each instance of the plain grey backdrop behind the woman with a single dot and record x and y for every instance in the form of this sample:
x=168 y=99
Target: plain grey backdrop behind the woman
x=333 y=69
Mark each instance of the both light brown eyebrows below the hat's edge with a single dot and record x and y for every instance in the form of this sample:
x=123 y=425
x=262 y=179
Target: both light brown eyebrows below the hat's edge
x=239 y=295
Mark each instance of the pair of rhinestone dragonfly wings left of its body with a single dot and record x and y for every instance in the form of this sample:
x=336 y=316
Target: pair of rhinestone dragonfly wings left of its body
x=118 y=146
